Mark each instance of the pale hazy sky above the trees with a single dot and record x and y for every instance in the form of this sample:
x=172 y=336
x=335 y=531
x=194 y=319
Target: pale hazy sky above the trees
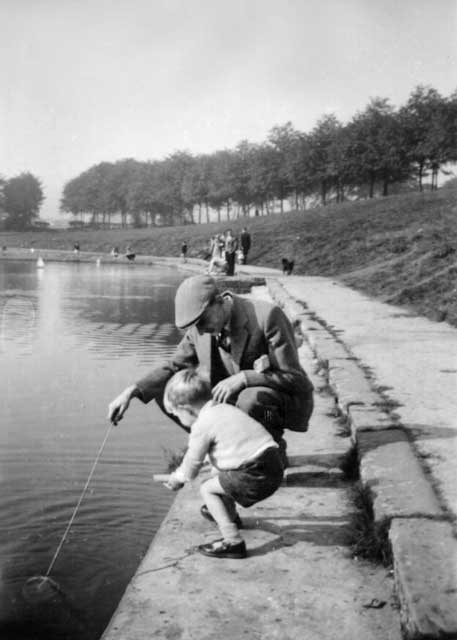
x=86 y=81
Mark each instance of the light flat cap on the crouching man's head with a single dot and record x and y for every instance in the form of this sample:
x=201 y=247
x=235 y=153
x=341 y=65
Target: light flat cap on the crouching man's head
x=192 y=298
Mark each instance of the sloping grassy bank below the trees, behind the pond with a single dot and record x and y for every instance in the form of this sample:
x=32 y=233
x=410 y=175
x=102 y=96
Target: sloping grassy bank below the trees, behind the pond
x=400 y=249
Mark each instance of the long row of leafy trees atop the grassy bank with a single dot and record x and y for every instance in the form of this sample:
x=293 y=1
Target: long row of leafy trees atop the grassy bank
x=381 y=147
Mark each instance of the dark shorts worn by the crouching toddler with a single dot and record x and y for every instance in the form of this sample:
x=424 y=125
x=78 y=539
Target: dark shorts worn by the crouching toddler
x=255 y=480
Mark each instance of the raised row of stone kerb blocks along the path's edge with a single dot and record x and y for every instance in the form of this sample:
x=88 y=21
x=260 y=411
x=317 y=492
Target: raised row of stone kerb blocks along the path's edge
x=422 y=544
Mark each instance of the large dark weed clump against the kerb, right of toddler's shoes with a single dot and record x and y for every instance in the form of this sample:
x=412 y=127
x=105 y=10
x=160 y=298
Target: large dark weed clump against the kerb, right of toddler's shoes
x=368 y=539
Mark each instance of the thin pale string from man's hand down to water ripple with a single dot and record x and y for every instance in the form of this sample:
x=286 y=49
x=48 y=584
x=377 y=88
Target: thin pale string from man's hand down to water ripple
x=43 y=587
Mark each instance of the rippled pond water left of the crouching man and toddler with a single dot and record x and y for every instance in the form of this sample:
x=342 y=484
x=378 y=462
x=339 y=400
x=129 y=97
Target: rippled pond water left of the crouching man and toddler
x=71 y=337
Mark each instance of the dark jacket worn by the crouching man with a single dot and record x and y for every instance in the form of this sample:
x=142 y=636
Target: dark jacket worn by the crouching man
x=257 y=328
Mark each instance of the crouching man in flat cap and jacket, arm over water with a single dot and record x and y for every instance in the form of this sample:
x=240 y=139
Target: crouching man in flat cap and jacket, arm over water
x=247 y=349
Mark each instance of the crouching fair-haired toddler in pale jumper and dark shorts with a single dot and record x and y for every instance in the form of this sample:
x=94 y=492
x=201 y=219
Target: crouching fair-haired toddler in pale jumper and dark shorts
x=243 y=452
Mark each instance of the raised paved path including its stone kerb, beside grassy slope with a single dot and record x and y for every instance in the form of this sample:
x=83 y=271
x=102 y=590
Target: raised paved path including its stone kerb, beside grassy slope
x=414 y=503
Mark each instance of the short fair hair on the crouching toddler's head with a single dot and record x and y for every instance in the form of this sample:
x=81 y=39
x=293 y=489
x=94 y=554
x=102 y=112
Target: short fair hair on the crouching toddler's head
x=186 y=387
